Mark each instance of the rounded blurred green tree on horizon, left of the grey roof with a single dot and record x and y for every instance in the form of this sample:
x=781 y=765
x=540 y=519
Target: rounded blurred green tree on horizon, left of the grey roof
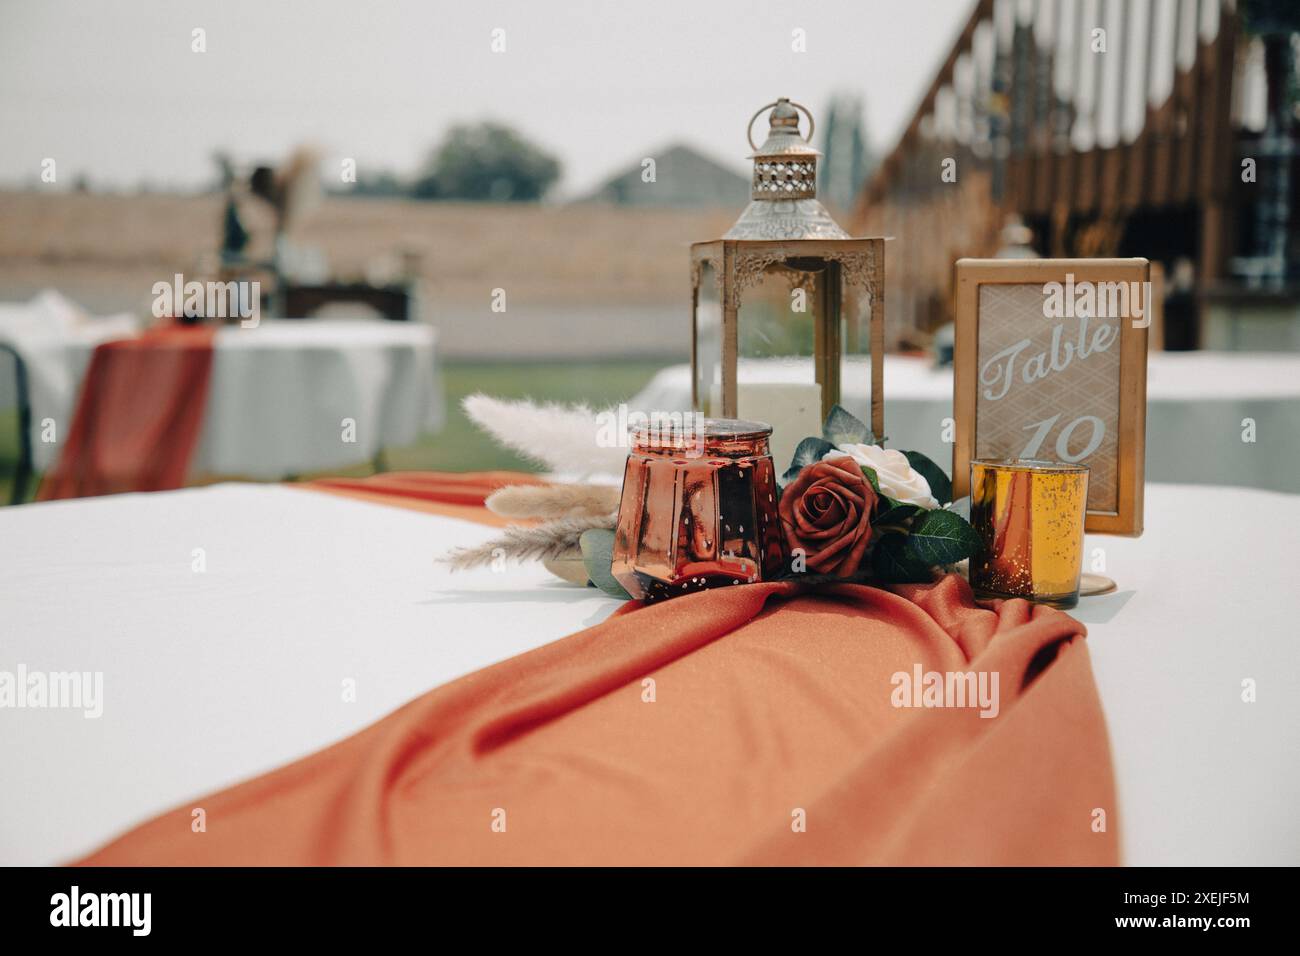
x=487 y=162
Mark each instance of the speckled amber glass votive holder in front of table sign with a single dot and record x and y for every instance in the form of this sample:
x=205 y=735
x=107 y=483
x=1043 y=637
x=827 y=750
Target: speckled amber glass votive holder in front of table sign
x=1030 y=518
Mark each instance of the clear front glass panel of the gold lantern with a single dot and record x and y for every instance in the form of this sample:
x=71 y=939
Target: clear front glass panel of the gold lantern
x=779 y=375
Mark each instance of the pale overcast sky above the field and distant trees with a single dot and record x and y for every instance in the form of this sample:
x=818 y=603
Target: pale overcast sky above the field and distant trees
x=111 y=88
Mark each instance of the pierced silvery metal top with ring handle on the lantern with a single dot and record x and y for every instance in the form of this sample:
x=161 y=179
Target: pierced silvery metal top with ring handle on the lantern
x=783 y=196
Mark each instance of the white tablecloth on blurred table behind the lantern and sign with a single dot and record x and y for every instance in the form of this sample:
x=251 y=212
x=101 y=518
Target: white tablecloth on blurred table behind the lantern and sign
x=1195 y=408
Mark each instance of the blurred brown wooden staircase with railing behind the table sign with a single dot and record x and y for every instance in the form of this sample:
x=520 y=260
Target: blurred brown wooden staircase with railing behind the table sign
x=1171 y=135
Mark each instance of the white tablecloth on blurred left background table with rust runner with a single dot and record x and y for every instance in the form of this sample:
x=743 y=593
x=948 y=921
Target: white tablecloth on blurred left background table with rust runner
x=279 y=396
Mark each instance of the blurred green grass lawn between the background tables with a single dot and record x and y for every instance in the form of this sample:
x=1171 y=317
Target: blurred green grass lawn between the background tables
x=461 y=447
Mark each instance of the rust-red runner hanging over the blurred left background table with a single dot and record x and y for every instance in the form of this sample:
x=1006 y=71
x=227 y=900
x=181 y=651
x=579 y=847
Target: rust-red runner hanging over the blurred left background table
x=138 y=416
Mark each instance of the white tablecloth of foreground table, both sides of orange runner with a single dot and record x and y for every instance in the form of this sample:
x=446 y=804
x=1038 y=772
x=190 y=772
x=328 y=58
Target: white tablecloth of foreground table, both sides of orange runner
x=211 y=678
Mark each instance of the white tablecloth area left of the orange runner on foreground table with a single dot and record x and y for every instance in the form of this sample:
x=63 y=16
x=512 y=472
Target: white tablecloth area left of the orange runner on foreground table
x=214 y=677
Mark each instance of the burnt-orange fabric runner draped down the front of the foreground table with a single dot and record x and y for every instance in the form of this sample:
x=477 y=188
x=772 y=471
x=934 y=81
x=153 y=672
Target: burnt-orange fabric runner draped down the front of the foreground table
x=753 y=725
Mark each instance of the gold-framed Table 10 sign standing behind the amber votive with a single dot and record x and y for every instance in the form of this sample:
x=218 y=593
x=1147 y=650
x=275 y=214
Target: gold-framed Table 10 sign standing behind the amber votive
x=1051 y=364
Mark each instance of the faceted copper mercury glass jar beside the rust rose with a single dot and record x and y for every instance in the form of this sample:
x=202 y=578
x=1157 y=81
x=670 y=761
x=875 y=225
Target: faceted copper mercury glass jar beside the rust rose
x=699 y=509
